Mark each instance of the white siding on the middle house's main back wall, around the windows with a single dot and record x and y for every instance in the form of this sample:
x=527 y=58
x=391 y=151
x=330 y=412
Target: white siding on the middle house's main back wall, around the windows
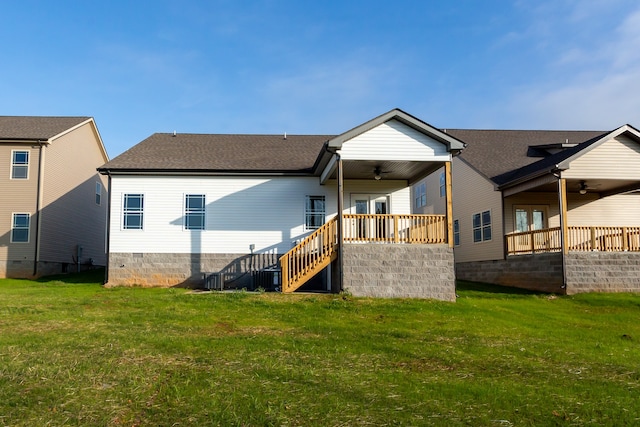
x=266 y=212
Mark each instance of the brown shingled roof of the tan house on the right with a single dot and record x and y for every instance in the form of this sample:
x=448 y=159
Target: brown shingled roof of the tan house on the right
x=501 y=155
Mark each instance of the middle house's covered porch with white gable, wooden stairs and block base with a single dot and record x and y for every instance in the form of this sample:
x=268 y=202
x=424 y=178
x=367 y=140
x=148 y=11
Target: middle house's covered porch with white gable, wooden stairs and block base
x=395 y=150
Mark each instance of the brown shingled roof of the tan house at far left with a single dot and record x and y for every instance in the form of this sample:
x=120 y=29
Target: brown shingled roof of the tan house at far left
x=35 y=128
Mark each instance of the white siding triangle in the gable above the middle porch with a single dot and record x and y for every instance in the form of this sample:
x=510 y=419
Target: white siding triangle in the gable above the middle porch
x=407 y=144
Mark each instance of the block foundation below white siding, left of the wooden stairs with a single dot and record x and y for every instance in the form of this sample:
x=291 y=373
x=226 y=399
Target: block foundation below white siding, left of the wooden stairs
x=167 y=270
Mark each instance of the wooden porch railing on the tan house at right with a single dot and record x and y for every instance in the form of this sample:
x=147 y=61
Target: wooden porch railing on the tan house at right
x=579 y=239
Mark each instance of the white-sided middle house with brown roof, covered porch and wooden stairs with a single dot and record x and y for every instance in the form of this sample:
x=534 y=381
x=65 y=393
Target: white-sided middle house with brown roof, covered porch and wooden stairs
x=327 y=212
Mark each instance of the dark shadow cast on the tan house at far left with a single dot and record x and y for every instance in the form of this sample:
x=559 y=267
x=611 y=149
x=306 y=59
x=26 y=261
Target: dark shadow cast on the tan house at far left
x=72 y=221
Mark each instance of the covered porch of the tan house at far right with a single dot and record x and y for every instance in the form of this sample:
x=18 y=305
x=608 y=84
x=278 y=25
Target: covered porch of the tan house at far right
x=579 y=228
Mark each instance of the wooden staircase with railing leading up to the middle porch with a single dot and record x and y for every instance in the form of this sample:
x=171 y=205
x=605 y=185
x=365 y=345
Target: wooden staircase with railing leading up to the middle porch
x=310 y=256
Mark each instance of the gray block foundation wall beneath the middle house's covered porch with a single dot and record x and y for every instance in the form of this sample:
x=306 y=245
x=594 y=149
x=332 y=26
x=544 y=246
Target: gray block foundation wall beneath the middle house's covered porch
x=405 y=271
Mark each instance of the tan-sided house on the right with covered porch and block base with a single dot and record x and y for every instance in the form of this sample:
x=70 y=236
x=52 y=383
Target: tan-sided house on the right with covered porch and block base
x=556 y=211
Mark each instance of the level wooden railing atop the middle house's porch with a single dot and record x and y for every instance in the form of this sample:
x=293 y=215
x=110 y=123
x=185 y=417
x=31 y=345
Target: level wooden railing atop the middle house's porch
x=394 y=228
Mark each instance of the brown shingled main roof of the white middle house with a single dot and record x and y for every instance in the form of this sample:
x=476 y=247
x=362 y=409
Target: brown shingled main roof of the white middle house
x=221 y=153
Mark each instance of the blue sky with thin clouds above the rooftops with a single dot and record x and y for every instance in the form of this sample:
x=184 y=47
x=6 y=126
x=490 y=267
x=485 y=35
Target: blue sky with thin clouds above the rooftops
x=320 y=67
